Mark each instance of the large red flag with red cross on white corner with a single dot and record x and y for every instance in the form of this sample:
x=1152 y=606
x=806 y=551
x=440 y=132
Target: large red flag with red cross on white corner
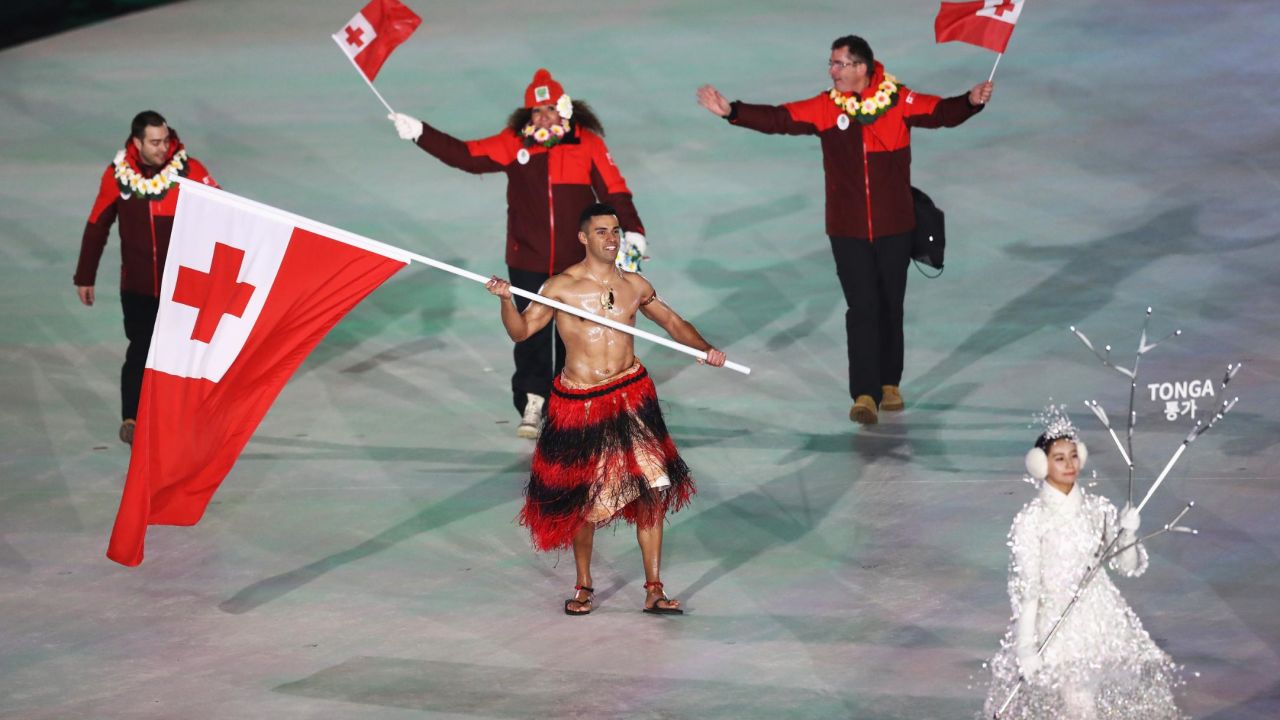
x=248 y=293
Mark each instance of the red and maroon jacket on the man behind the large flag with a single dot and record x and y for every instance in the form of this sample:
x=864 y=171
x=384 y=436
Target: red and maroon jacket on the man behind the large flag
x=145 y=222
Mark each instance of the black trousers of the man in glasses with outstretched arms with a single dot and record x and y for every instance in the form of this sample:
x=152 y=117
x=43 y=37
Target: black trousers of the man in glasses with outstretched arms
x=874 y=276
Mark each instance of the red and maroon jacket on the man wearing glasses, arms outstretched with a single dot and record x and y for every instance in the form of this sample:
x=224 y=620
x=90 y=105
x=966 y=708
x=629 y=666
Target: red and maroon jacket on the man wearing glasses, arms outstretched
x=868 y=168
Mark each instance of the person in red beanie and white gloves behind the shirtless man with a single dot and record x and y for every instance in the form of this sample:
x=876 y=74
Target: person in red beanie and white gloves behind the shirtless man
x=556 y=162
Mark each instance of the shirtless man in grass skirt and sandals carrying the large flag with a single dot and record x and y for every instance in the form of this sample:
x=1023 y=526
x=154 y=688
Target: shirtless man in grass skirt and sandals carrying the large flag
x=604 y=453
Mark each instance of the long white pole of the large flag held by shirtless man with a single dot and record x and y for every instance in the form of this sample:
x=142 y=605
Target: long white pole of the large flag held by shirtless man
x=392 y=252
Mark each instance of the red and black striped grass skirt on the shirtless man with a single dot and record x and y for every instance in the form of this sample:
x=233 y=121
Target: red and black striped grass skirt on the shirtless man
x=601 y=453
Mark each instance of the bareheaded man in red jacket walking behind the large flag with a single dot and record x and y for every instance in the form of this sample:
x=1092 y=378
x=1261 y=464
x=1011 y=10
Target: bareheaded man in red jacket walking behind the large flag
x=139 y=190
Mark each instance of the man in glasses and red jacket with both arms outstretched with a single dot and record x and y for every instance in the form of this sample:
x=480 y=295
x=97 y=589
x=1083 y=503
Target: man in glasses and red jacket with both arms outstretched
x=865 y=124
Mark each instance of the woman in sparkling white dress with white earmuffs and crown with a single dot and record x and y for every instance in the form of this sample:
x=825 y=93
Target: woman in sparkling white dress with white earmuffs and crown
x=1101 y=664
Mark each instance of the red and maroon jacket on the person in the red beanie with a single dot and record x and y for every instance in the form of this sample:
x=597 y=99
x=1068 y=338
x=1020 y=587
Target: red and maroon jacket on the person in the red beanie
x=546 y=193
